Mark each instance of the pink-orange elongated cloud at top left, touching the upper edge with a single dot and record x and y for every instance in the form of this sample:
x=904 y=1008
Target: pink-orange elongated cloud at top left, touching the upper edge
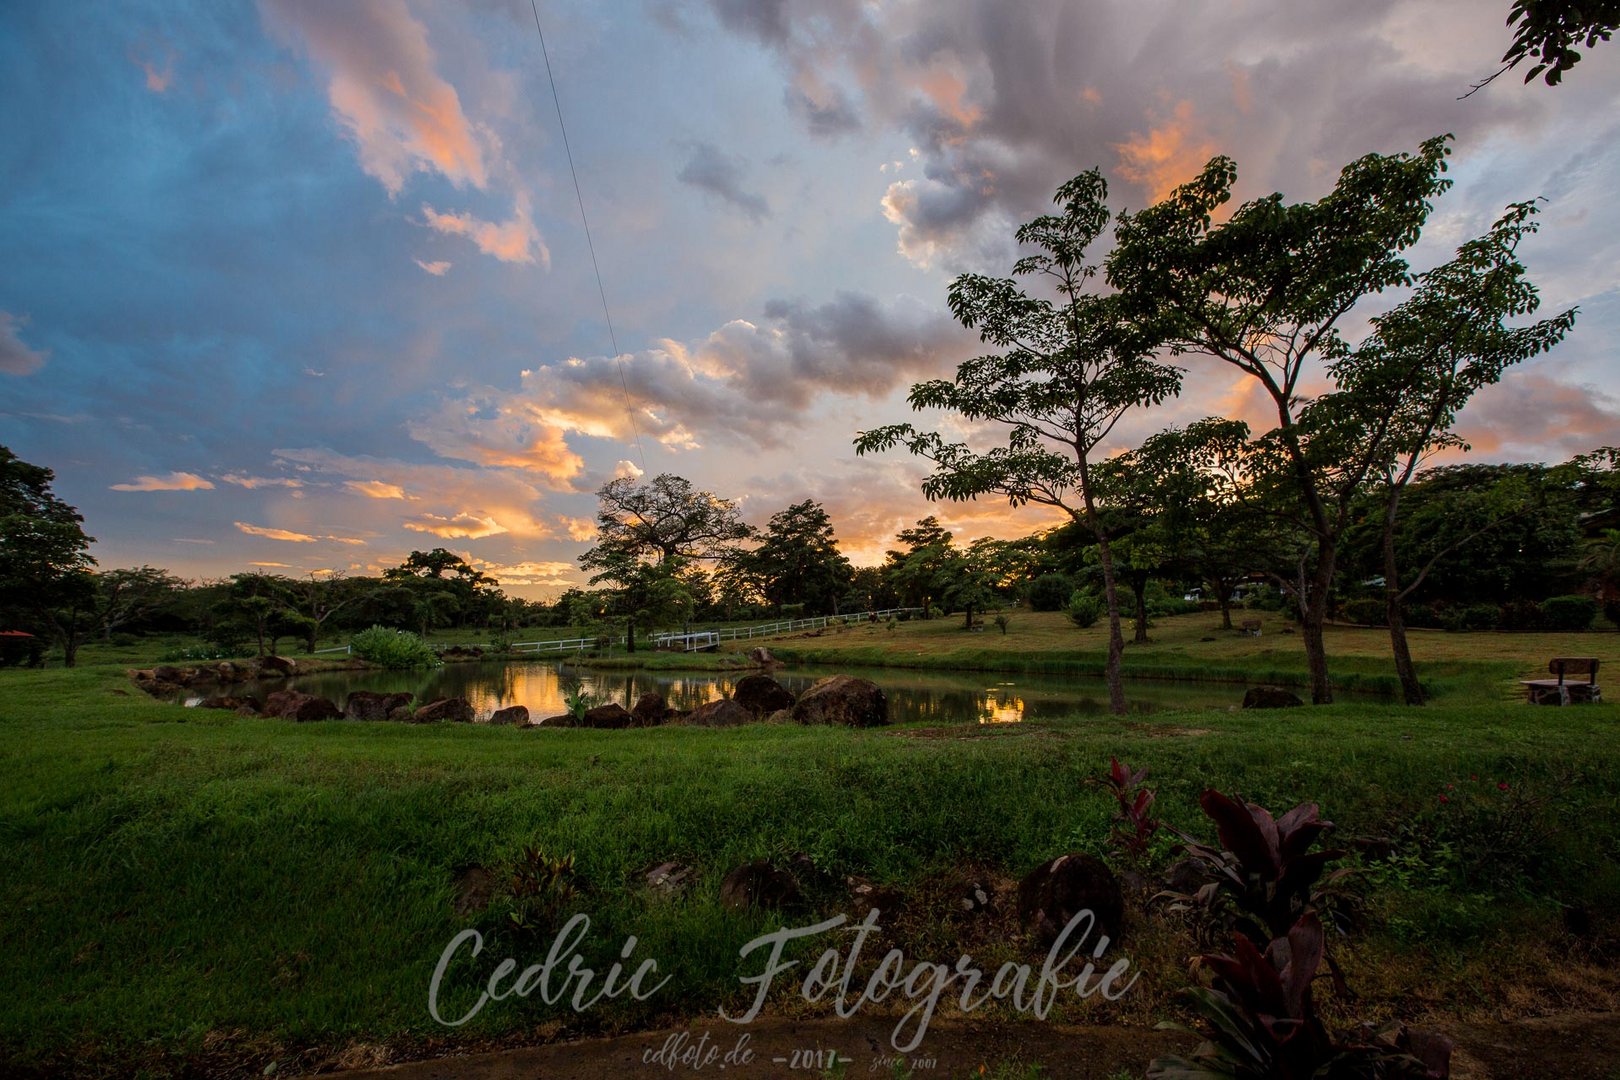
x=385 y=88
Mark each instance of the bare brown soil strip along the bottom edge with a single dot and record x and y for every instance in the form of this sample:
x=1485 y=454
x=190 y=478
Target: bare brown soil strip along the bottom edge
x=1571 y=1047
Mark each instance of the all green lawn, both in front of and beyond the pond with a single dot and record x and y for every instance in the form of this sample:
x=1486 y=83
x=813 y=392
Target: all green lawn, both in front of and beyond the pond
x=187 y=887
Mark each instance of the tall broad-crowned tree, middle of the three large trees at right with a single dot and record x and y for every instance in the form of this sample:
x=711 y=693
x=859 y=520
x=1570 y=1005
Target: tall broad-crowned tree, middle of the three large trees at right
x=1264 y=292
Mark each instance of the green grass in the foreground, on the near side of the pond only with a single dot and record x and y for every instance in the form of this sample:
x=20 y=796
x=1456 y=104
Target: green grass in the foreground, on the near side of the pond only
x=173 y=875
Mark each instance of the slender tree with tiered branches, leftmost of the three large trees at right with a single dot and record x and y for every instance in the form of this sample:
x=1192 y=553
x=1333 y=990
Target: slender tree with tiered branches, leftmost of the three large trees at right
x=1068 y=372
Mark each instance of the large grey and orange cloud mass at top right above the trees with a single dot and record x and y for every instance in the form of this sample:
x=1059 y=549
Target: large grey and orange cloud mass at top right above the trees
x=1000 y=117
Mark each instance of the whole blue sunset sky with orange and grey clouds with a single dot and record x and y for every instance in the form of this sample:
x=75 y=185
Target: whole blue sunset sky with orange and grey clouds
x=302 y=286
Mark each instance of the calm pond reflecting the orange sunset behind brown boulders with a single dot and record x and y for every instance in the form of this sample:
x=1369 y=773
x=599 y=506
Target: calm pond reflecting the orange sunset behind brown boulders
x=913 y=695
